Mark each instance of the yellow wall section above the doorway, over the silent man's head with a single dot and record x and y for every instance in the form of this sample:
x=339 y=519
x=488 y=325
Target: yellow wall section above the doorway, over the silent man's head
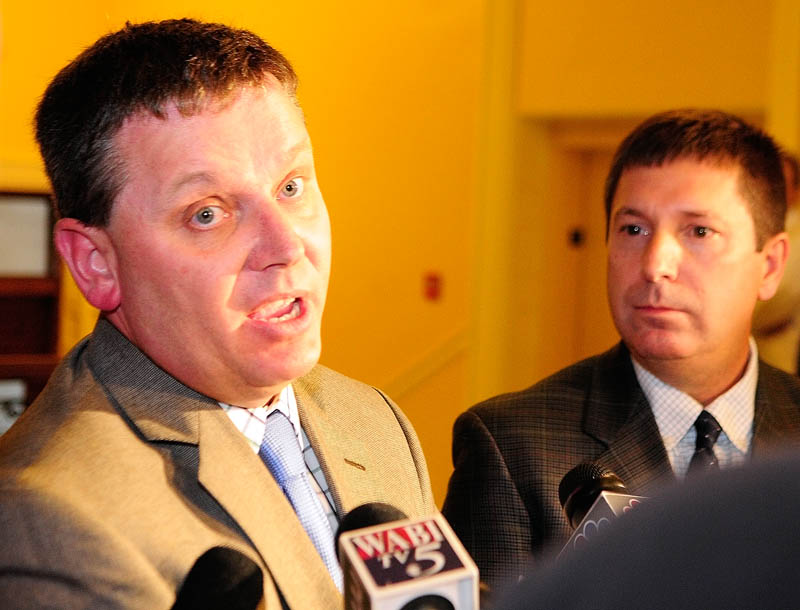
x=630 y=57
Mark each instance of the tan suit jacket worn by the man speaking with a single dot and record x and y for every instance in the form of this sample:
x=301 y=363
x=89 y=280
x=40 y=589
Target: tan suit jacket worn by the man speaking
x=119 y=477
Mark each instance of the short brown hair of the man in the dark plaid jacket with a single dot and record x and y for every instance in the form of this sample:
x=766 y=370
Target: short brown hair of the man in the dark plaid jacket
x=710 y=135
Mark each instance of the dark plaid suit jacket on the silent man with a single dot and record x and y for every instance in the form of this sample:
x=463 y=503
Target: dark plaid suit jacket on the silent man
x=511 y=452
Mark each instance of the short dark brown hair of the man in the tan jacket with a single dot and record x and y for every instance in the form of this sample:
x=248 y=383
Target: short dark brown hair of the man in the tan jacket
x=140 y=68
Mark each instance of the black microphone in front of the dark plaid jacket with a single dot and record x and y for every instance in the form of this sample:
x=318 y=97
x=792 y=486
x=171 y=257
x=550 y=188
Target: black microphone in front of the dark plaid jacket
x=591 y=496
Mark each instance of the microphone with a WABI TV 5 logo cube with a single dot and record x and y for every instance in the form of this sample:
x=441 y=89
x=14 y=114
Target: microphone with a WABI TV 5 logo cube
x=391 y=562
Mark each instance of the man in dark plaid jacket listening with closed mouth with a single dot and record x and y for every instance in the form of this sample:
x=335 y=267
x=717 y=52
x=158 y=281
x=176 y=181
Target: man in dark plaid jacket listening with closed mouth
x=695 y=207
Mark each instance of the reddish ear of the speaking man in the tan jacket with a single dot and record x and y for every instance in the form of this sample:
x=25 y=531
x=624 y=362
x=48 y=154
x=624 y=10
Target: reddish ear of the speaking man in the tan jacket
x=91 y=259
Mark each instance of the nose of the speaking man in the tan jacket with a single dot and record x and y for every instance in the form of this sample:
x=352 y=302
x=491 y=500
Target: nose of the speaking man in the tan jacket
x=277 y=241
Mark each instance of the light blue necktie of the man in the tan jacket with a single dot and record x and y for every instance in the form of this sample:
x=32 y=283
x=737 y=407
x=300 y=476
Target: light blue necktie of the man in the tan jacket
x=281 y=453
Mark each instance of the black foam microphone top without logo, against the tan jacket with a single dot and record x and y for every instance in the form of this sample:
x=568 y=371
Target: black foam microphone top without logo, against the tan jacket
x=221 y=578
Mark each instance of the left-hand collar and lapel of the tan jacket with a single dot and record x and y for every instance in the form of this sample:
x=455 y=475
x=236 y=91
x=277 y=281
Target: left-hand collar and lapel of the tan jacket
x=162 y=409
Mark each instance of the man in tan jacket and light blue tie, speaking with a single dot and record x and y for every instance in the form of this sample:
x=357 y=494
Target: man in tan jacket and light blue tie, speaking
x=193 y=421
